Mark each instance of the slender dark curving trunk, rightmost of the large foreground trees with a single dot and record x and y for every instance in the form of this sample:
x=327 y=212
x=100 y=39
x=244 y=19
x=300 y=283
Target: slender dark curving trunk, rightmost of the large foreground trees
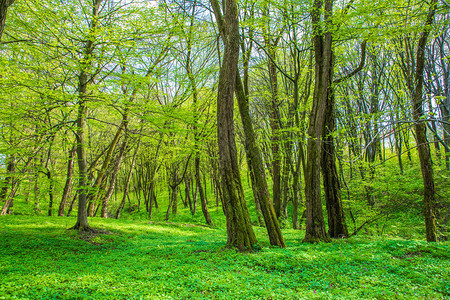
x=420 y=130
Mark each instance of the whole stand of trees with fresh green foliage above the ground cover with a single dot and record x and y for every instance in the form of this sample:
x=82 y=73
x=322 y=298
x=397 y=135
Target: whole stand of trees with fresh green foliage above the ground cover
x=330 y=117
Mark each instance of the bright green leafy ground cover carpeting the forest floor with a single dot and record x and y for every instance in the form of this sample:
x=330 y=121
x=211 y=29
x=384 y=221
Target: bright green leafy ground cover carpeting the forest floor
x=40 y=259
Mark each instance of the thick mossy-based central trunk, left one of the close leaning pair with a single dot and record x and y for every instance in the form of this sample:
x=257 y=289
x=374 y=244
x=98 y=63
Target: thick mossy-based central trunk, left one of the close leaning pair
x=239 y=230
